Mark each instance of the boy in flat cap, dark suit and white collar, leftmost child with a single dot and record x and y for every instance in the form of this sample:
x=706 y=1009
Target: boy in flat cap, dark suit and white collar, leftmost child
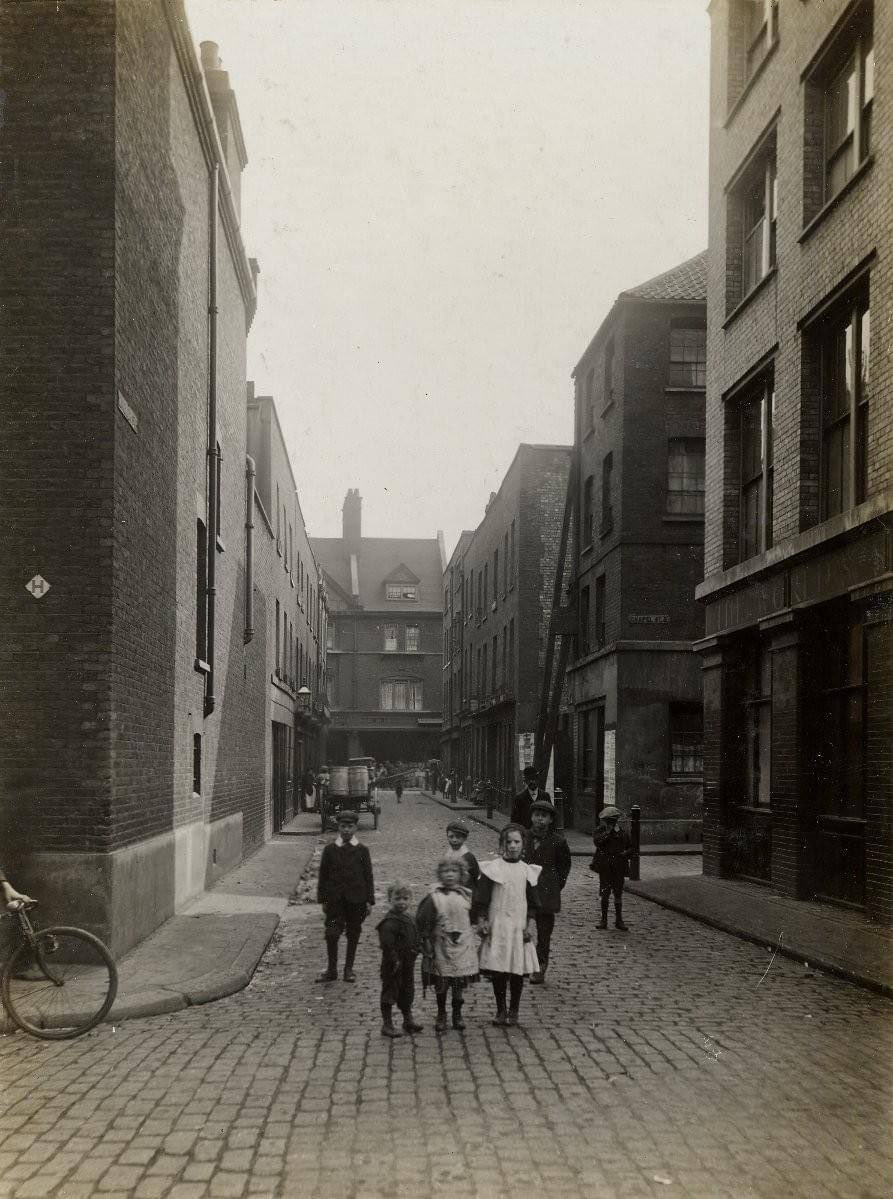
x=347 y=893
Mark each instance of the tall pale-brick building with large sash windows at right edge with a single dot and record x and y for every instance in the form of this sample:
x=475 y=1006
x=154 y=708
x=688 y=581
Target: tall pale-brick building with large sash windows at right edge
x=800 y=454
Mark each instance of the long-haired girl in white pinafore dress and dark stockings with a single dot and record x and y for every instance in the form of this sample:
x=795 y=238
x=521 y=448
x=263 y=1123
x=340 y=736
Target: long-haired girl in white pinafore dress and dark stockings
x=504 y=908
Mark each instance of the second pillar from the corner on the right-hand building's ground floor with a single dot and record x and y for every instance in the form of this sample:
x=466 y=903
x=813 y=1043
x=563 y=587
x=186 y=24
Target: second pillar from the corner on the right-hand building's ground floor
x=791 y=860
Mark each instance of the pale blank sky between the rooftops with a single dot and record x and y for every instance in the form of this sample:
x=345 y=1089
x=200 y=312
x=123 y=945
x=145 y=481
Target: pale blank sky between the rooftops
x=445 y=200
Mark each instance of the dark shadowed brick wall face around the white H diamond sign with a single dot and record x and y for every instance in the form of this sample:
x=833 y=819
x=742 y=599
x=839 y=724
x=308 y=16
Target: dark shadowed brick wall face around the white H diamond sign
x=57 y=292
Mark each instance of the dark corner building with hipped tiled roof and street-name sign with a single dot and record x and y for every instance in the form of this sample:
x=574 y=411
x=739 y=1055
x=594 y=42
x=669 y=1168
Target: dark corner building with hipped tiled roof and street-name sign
x=639 y=545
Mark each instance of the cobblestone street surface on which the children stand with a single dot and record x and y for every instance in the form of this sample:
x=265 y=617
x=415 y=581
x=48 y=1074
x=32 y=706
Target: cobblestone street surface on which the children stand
x=668 y=1061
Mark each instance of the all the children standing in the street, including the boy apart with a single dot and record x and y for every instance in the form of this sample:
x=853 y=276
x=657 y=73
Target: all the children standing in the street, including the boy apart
x=493 y=919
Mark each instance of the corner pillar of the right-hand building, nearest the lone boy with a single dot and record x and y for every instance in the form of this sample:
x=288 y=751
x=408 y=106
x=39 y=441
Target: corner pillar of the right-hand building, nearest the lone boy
x=723 y=714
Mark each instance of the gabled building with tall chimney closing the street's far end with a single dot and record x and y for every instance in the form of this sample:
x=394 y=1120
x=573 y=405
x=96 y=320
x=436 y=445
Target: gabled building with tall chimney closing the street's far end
x=384 y=648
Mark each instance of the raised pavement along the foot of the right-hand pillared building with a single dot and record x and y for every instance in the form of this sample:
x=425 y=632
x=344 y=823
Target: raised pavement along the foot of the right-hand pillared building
x=841 y=942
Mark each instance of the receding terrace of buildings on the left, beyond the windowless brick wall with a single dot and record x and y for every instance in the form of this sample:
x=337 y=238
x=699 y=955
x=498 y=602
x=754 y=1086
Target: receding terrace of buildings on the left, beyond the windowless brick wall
x=291 y=614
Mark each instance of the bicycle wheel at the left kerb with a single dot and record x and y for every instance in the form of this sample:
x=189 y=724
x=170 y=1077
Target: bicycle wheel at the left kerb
x=61 y=985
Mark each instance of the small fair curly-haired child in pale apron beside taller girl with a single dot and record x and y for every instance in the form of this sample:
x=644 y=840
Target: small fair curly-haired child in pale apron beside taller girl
x=449 y=942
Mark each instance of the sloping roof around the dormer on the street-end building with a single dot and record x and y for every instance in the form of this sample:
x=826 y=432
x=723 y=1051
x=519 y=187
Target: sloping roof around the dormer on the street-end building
x=379 y=559
